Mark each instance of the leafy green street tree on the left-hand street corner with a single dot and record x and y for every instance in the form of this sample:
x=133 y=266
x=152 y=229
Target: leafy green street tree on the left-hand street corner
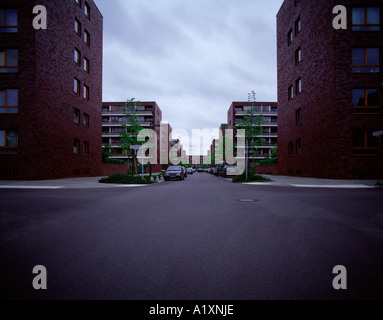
x=128 y=137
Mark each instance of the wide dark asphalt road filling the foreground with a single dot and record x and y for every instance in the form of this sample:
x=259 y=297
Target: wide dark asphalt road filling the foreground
x=192 y=240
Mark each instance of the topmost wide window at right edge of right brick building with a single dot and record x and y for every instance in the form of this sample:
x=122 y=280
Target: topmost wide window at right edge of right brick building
x=366 y=19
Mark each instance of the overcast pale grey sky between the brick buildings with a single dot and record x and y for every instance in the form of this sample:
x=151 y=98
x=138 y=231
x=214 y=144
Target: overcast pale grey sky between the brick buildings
x=194 y=58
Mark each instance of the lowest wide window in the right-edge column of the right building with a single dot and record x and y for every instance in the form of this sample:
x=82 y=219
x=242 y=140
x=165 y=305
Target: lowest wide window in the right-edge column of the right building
x=364 y=142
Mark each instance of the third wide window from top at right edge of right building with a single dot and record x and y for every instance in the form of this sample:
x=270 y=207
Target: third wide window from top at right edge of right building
x=366 y=100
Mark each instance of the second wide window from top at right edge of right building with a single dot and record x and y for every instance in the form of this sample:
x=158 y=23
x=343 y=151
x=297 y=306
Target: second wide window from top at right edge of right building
x=366 y=60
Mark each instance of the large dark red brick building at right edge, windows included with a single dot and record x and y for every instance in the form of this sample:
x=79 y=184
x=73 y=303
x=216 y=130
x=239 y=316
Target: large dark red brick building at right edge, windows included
x=330 y=89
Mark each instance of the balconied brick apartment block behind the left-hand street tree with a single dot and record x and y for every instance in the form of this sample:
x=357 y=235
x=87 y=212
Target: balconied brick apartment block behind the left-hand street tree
x=114 y=116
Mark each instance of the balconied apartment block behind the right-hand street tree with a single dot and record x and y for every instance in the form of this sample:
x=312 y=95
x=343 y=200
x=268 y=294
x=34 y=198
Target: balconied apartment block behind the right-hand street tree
x=269 y=111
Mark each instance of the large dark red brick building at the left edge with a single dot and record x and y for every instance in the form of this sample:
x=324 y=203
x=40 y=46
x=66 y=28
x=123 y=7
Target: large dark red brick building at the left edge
x=50 y=90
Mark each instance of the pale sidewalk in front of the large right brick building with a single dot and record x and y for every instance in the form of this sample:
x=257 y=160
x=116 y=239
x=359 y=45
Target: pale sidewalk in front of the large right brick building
x=300 y=182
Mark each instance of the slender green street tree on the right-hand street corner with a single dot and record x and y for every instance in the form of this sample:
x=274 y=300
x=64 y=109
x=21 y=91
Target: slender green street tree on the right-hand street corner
x=252 y=124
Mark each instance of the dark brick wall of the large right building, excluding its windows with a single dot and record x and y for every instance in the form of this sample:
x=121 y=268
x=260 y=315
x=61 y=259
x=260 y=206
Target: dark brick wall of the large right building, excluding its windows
x=326 y=97
